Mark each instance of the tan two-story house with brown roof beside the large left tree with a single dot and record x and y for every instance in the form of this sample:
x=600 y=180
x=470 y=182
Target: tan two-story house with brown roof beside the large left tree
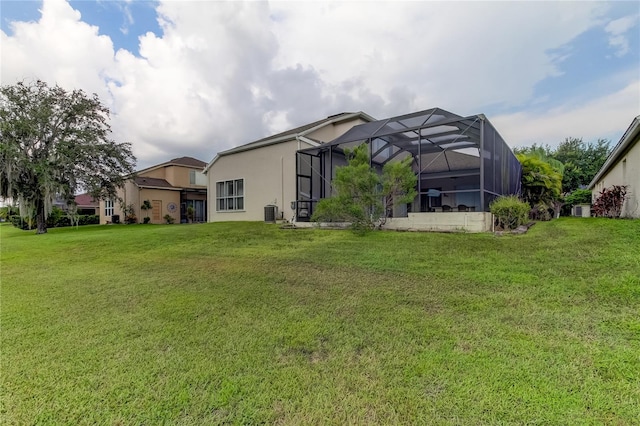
x=170 y=187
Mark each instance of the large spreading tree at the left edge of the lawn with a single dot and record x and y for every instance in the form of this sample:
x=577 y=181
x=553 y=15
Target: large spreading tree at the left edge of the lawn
x=54 y=143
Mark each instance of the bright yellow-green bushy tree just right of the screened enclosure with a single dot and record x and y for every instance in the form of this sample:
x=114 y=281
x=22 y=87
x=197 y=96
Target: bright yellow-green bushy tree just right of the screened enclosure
x=541 y=186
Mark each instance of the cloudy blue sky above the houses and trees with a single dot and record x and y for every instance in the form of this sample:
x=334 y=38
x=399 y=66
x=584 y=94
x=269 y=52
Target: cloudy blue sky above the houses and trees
x=197 y=77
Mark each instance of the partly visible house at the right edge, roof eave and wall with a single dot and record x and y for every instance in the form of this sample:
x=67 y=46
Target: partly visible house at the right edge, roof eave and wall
x=622 y=167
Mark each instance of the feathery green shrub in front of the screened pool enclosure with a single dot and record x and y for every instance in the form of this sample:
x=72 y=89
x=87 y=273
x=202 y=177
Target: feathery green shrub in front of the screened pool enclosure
x=363 y=197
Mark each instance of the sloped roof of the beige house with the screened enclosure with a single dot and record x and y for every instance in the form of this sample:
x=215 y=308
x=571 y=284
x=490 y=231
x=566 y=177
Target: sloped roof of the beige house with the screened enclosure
x=294 y=133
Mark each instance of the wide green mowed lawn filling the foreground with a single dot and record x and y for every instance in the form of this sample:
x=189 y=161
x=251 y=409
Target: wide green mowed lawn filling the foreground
x=247 y=323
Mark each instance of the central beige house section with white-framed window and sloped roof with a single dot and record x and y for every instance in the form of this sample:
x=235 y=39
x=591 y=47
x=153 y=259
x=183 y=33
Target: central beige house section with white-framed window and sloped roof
x=247 y=181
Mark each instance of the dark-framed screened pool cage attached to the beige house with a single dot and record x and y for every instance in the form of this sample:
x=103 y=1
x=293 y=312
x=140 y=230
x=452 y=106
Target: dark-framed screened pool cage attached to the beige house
x=462 y=163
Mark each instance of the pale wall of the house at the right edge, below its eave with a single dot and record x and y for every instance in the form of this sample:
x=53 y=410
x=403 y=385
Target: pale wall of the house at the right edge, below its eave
x=625 y=172
